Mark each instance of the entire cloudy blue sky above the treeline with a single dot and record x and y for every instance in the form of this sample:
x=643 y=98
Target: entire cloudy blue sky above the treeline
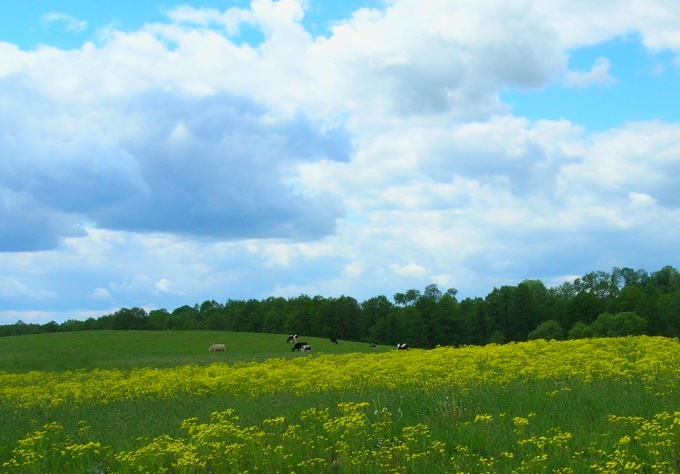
x=164 y=154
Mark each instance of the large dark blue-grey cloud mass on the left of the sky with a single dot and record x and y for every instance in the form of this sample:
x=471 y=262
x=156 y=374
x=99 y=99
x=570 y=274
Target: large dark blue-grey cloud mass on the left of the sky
x=216 y=166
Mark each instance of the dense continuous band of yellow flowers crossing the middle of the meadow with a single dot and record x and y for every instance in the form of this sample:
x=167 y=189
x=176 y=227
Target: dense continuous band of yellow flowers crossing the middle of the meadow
x=654 y=360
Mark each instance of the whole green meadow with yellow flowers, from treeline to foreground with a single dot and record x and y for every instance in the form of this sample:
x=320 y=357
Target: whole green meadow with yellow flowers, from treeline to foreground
x=118 y=402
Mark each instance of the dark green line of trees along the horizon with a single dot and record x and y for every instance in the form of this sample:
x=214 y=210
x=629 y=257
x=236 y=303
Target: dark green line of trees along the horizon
x=599 y=304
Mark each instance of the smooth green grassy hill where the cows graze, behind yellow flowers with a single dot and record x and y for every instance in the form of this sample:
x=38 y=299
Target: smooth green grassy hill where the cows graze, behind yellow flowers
x=132 y=349
